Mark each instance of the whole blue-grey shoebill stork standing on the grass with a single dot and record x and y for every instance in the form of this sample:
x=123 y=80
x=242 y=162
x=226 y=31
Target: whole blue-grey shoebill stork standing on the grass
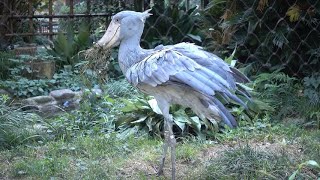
x=182 y=74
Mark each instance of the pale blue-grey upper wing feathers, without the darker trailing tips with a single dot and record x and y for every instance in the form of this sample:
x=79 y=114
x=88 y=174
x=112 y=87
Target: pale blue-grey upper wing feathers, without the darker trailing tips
x=167 y=63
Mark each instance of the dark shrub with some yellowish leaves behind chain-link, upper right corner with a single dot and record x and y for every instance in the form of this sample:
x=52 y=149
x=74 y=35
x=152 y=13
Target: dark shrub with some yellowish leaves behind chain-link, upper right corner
x=277 y=35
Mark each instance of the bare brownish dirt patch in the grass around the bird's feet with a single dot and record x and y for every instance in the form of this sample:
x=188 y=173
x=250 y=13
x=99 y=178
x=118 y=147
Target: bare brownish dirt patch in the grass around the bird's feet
x=185 y=169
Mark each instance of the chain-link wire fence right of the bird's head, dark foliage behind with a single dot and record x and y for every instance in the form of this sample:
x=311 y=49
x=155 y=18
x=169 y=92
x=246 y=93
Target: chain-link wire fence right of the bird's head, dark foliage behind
x=268 y=35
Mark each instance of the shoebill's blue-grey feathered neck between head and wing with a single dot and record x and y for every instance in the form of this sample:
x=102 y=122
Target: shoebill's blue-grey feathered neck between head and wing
x=129 y=53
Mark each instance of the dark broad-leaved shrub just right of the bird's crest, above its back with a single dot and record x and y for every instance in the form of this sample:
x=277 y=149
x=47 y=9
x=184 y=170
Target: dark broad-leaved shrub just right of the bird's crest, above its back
x=171 y=25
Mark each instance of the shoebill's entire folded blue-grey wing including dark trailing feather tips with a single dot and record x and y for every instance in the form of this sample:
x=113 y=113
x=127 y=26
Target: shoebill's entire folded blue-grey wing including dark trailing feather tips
x=190 y=65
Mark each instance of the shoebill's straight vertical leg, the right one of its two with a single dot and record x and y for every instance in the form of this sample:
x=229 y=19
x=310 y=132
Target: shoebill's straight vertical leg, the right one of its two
x=172 y=142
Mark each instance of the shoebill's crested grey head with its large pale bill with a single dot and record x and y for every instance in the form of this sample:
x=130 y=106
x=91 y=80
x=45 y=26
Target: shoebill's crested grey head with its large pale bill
x=124 y=25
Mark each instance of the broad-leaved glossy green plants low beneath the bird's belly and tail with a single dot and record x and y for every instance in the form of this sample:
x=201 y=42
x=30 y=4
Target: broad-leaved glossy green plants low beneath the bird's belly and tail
x=143 y=112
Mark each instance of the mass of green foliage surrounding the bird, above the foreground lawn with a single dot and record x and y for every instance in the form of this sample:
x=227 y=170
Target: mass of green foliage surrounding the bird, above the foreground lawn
x=275 y=44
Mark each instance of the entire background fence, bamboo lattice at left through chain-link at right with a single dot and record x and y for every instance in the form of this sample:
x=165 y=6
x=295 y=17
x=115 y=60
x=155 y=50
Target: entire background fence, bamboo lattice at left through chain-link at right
x=267 y=35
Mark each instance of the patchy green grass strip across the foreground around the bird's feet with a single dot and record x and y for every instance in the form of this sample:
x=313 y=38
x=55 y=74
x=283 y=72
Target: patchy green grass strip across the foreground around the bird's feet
x=274 y=152
